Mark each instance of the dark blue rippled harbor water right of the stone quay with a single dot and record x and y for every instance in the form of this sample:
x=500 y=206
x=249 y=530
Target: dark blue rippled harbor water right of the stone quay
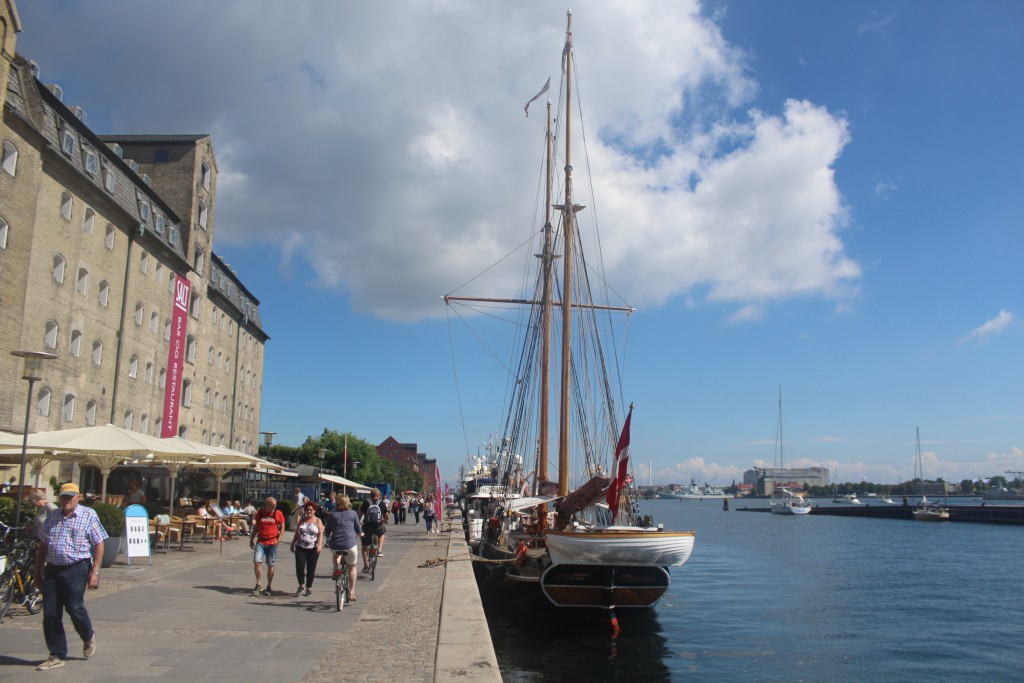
x=781 y=599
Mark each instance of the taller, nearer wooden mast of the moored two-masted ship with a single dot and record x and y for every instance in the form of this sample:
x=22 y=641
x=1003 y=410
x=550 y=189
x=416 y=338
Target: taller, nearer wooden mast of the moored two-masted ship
x=569 y=224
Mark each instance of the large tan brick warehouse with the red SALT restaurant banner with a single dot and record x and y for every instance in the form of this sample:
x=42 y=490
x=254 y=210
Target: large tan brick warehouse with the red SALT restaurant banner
x=95 y=234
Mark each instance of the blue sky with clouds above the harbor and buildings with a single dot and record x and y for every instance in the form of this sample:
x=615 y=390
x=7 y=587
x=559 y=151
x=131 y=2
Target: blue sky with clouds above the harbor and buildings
x=824 y=197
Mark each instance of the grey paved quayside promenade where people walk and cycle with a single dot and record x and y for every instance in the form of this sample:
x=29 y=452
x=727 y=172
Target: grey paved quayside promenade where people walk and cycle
x=191 y=616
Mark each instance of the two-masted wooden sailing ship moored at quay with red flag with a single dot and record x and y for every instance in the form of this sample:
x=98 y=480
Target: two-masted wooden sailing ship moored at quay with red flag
x=579 y=537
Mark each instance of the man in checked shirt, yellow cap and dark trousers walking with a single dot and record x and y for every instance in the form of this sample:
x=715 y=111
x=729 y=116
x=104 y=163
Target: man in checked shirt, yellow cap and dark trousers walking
x=71 y=546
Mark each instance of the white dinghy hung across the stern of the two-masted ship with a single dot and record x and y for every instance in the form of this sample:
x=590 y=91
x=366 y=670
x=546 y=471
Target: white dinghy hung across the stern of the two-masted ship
x=621 y=546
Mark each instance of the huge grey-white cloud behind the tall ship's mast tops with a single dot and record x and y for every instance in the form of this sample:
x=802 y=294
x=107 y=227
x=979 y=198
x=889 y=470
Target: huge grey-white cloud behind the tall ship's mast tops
x=387 y=153
